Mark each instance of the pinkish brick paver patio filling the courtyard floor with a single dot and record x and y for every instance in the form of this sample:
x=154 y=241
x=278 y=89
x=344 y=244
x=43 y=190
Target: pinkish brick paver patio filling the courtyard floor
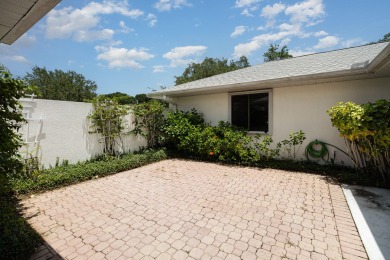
x=178 y=209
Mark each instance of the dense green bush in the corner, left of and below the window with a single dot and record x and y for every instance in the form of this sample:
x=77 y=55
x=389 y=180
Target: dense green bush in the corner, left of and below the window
x=189 y=134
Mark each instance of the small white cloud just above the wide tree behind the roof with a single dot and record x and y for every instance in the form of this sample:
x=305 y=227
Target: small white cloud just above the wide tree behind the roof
x=181 y=56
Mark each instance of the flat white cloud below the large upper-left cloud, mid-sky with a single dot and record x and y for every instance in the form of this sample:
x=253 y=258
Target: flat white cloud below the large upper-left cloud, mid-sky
x=122 y=57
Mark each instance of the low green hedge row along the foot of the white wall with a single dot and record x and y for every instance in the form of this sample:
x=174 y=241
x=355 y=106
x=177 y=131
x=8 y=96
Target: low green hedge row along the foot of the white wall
x=65 y=175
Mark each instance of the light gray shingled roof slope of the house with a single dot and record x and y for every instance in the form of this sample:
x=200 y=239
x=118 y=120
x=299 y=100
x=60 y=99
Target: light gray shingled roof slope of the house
x=325 y=63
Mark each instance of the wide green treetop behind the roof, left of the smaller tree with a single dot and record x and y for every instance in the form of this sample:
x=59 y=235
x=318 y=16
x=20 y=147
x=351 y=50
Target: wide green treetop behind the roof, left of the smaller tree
x=210 y=67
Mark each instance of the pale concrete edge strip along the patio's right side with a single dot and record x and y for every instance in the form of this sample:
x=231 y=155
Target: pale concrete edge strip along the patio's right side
x=369 y=242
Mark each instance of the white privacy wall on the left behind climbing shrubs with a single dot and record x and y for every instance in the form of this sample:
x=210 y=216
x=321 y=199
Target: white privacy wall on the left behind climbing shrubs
x=64 y=131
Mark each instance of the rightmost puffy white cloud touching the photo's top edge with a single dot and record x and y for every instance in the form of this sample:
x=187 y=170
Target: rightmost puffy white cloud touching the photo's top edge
x=308 y=11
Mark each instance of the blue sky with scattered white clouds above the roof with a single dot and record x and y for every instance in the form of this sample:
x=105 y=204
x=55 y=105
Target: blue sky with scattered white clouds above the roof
x=136 y=46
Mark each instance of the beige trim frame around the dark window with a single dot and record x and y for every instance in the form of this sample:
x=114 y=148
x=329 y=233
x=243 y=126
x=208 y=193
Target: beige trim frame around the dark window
x=270 y=108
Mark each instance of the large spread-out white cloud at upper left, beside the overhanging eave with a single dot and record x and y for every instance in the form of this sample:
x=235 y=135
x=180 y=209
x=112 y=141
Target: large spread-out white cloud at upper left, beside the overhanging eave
x=82 y=24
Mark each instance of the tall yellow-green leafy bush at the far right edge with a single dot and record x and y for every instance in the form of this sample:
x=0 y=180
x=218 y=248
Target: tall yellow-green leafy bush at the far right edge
x=366 y=130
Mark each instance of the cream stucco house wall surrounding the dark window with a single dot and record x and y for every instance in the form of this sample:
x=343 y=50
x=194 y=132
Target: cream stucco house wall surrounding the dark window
x=300 y=108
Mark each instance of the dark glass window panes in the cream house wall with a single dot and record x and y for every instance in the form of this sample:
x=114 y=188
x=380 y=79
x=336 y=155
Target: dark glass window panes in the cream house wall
x=251 y=111
